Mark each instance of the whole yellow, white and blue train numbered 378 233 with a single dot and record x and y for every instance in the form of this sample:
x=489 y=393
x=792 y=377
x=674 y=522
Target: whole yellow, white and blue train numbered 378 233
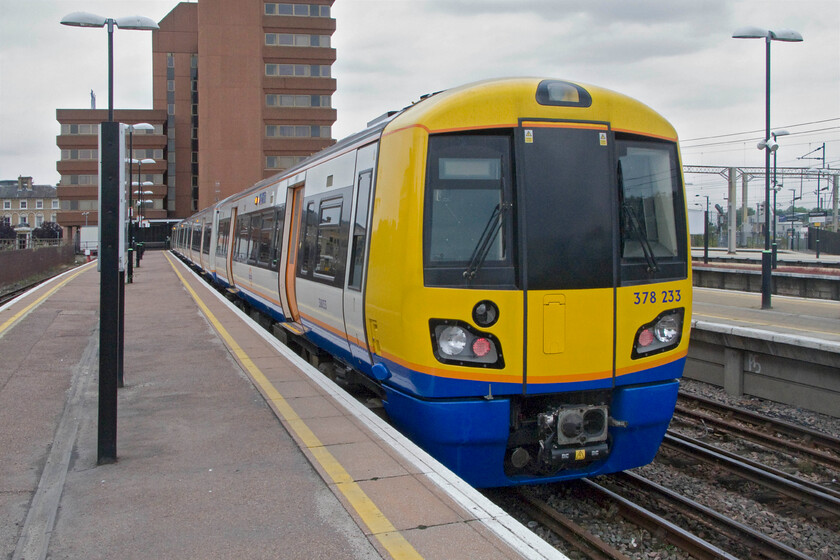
x=505 y=263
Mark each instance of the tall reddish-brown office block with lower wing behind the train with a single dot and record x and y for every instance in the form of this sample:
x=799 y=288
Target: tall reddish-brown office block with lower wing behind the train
x=256 y=77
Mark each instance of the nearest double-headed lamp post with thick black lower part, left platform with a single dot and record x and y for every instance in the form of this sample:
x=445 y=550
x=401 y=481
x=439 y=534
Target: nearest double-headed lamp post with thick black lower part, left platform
x=111 y=308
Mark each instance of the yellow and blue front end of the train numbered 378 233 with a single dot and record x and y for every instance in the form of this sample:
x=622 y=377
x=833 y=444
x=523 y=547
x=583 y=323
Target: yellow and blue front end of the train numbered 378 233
x=528 y=295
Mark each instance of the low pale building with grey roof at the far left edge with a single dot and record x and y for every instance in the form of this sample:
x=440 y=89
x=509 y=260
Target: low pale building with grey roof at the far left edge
x=27 y=204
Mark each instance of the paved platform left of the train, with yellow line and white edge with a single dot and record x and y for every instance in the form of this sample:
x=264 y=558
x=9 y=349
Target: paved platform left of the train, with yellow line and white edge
x=229 y=445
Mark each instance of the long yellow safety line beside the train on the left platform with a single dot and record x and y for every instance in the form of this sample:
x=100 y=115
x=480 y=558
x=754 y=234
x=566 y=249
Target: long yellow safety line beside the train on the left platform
x=385 y=532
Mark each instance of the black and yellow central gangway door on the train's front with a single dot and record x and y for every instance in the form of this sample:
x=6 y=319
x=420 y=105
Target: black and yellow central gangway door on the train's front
x=567 y=210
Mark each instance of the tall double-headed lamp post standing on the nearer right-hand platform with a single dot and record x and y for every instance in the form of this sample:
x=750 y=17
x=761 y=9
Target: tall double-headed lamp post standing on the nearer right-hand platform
x=768 y=35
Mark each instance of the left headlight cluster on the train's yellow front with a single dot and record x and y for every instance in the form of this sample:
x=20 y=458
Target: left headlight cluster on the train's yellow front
x=456 y=342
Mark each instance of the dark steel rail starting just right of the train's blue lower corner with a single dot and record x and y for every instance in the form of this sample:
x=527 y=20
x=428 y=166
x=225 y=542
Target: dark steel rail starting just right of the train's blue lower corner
x=793 y=489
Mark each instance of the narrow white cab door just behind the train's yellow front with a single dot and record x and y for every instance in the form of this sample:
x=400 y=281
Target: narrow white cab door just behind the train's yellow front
x=354 y=292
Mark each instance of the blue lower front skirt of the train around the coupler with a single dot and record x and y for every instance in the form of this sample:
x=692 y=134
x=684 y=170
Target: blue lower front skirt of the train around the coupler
x=470 y=437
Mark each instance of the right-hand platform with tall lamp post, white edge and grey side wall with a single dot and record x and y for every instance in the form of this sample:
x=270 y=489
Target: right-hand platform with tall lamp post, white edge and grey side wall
x=789 y=353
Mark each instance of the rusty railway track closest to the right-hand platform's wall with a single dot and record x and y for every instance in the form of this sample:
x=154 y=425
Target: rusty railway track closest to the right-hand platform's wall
x=785 y=437
